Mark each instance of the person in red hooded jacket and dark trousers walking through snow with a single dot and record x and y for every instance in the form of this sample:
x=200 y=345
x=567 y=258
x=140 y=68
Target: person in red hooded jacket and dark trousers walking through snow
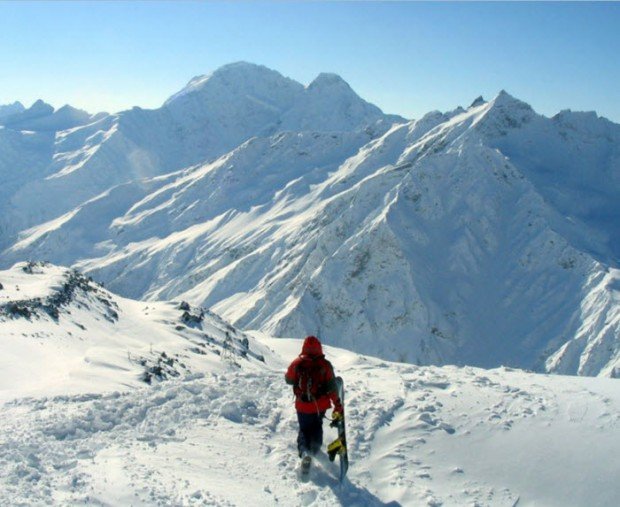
x=314 y=384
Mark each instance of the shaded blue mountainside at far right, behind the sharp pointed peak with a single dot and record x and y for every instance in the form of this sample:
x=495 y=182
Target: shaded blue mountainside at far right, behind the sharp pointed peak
x=573 y=159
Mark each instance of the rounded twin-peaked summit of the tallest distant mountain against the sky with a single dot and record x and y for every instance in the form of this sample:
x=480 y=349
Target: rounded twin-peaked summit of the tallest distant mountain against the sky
x=265 y=97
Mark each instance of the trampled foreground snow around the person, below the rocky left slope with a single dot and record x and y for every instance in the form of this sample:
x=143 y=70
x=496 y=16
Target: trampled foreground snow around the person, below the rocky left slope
x=417 y=436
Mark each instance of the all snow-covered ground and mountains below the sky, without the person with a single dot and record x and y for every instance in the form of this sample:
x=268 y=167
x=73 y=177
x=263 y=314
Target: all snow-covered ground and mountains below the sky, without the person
x=465 y=245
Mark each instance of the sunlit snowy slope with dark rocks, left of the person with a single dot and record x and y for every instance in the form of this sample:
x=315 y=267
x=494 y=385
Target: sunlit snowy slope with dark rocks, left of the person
x=63 y=334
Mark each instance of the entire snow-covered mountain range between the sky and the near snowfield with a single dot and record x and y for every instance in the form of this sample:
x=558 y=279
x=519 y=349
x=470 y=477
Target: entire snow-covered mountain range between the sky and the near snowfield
x=481 y=236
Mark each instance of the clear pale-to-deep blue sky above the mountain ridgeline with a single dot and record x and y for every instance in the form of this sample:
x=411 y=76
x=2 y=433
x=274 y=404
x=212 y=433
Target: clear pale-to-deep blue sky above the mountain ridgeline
x=408 y=58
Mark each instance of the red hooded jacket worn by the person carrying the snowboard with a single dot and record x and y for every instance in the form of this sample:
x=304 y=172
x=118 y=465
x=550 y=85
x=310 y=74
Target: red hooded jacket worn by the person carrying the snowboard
x=323 y=379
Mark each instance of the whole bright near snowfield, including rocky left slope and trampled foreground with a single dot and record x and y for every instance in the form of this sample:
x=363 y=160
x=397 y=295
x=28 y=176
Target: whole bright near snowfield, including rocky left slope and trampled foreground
x=81 y=426
